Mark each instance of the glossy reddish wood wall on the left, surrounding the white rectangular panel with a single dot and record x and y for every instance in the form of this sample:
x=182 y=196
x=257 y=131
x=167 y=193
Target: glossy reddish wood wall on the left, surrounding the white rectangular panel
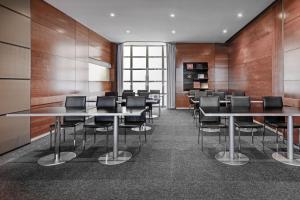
x=60 y=51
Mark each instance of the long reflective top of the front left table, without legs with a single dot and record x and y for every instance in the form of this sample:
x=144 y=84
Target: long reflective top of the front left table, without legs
x=89 y=111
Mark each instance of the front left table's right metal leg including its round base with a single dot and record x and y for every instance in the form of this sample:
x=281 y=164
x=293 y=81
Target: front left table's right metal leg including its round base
x=115 y=157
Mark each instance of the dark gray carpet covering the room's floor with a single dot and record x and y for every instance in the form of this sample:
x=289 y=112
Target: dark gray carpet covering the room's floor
x=170 y=165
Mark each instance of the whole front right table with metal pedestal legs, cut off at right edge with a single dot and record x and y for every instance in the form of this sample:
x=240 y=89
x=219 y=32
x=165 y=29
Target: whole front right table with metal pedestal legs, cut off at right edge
x=233 y=158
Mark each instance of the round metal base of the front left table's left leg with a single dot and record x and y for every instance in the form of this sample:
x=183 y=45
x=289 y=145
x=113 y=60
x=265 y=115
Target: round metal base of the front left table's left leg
x=49 y=160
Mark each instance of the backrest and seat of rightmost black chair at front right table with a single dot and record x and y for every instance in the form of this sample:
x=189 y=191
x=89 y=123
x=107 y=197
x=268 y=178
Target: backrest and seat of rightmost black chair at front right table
x=270 y=102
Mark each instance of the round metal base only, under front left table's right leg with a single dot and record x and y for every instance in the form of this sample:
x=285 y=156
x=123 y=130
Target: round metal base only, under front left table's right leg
x=108 y=159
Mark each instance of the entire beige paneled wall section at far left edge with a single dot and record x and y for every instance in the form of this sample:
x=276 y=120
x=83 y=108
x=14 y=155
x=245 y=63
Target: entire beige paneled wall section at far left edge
x=14 y=72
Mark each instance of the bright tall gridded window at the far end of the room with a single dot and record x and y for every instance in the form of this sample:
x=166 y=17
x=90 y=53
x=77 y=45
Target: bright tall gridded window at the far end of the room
x=145 y=68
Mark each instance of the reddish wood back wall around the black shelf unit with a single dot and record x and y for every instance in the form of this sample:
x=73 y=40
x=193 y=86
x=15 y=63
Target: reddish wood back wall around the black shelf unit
x=214 y=54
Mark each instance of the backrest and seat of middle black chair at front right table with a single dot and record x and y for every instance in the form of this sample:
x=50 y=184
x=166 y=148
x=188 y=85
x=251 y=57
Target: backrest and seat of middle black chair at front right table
x=241 y=104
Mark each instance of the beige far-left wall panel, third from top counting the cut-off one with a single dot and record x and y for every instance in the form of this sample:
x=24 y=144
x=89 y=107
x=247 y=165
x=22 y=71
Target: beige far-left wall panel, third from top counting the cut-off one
x=14 y=62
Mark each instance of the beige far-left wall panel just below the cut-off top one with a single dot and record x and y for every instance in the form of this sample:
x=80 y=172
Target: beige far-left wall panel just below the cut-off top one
x=15 y=28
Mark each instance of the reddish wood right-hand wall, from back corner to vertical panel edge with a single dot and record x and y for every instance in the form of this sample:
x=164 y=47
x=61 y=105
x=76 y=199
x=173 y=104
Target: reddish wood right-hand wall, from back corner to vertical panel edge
x=254 y=56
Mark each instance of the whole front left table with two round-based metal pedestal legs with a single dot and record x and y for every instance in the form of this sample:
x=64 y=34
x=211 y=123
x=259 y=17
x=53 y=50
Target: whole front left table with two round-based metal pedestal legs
x=112 y=158
